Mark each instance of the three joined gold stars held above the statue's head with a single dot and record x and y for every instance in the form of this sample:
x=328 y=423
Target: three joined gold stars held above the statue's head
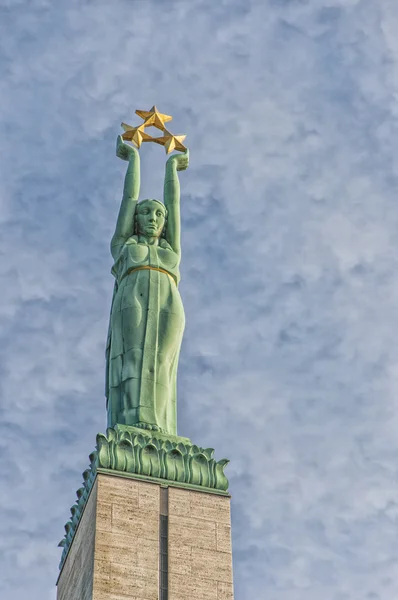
x=153 y=118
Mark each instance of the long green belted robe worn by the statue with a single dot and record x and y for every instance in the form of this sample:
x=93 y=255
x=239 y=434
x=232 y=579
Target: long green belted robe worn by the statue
x=145 y=333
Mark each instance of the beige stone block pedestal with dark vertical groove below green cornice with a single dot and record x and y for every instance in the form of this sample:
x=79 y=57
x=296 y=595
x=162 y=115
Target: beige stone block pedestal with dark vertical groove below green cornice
x=141 y=540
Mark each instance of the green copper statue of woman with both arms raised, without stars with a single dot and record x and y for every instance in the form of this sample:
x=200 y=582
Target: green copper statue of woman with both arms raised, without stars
x=147 y=316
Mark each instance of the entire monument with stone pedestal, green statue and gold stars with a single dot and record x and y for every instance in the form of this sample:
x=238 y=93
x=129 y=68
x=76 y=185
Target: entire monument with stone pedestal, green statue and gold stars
x=152 y=519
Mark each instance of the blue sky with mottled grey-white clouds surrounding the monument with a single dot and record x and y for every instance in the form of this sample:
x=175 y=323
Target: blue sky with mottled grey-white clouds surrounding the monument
x=289 y=364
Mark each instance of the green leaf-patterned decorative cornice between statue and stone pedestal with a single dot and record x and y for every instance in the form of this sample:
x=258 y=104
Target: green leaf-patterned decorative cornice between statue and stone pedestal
x=146 y=454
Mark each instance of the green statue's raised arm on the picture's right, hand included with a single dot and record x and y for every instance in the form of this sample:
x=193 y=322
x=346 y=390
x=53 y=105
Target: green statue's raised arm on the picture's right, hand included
x=177 y=162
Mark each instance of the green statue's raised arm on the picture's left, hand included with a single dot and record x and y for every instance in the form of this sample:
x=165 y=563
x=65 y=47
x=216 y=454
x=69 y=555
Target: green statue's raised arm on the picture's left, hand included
x=125 y=220
